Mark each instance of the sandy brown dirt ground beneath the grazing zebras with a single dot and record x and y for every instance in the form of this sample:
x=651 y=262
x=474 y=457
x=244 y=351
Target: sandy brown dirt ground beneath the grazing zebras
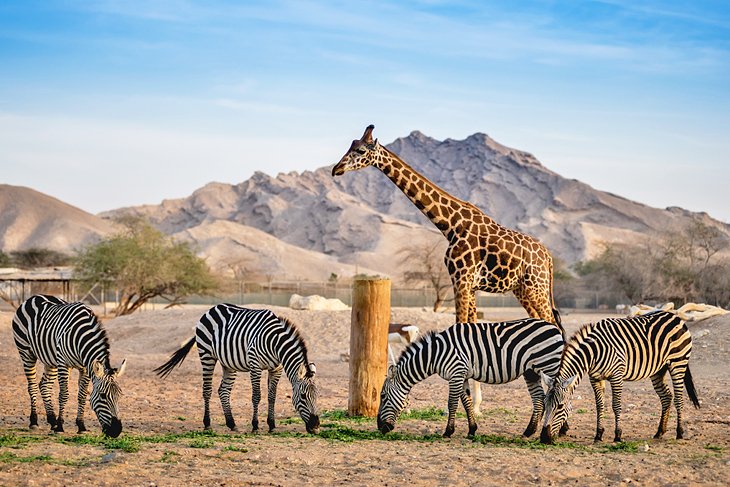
x=159 y=445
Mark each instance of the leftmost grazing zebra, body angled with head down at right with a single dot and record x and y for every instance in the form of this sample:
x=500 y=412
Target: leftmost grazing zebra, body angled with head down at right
x=61 y=336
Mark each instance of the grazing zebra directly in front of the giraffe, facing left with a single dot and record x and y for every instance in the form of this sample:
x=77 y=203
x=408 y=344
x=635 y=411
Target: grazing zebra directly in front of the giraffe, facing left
x=495 y=353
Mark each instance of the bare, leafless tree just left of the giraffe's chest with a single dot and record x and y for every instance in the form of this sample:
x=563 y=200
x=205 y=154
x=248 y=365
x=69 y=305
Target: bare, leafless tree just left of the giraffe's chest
x=425 y=262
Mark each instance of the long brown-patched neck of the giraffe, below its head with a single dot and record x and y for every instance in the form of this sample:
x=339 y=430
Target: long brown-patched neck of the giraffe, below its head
x=439 y=206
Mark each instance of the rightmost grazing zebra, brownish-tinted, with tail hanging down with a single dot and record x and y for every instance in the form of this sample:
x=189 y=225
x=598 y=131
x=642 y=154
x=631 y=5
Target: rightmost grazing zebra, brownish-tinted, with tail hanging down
x=618 y=350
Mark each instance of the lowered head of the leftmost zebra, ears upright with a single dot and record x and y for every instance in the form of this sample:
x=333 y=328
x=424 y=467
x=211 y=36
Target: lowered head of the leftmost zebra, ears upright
x=105 y=395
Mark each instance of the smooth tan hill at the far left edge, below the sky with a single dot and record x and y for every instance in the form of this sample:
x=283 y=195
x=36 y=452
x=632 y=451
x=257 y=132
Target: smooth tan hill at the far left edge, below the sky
x=31 y=219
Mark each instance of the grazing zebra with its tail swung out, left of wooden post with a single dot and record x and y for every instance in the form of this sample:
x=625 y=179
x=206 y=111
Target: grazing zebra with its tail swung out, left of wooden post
x=251 y=340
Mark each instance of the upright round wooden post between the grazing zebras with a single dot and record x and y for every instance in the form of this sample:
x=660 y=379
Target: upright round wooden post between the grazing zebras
x=368 y=344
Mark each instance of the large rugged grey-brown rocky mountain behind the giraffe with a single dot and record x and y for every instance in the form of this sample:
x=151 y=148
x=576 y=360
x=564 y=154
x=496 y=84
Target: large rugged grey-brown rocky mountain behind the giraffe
x=362 y=218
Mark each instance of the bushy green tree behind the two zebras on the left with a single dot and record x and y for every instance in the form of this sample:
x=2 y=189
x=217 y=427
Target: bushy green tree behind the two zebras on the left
x=143 y=263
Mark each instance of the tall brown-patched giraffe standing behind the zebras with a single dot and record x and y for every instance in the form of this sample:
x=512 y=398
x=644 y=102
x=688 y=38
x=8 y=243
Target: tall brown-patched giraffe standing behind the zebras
x=481 y=255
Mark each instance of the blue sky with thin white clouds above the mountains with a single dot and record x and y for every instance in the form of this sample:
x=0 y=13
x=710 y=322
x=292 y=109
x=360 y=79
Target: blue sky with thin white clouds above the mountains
x=115 y=103
